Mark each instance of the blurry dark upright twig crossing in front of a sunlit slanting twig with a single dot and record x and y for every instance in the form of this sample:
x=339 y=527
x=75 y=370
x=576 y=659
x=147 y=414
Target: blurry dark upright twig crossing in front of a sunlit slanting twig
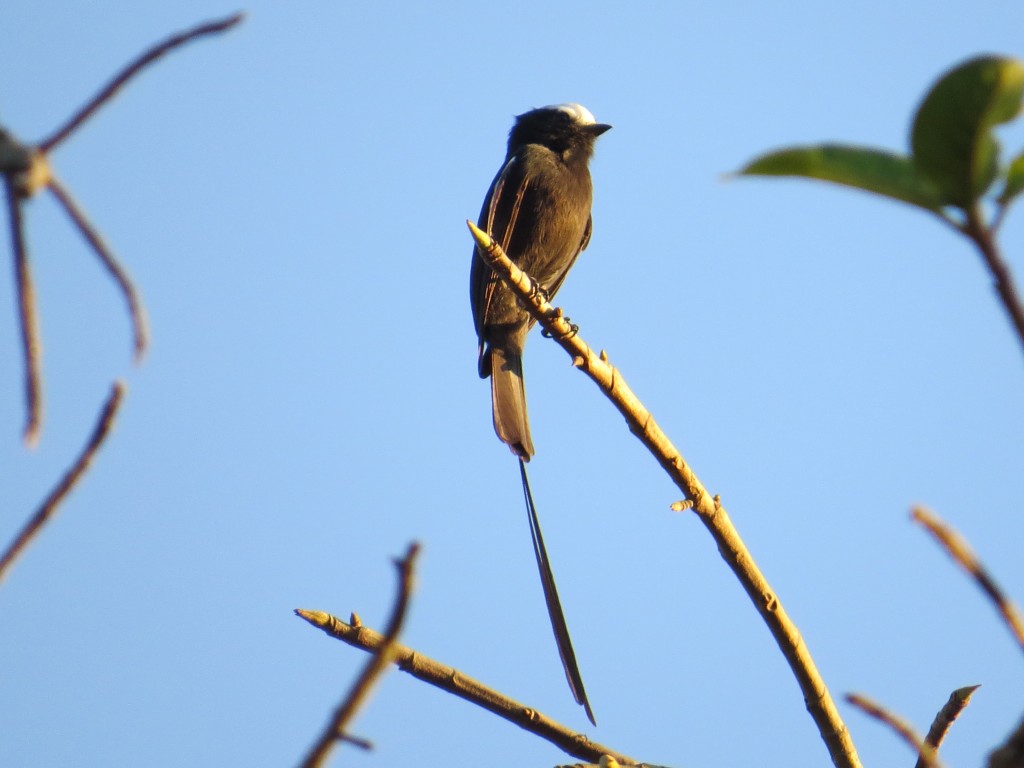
x=335 y=731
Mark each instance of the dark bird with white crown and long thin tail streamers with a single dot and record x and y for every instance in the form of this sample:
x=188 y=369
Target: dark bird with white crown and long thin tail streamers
x=539 y=209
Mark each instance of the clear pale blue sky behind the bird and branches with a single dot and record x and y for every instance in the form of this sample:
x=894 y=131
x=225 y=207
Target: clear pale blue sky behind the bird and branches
x=291 y=201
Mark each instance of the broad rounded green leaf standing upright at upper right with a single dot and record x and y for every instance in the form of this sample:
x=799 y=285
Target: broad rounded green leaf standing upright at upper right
x=952 y=138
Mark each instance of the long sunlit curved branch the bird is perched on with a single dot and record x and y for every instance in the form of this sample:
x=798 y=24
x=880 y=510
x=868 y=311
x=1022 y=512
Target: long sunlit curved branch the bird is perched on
x=709 y=509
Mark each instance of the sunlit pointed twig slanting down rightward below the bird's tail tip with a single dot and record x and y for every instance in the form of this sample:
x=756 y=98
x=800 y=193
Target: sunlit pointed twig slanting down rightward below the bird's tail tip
x=451 y=680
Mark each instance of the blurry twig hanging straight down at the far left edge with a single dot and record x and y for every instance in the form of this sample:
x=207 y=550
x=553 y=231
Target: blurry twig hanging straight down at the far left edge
x=28 y=320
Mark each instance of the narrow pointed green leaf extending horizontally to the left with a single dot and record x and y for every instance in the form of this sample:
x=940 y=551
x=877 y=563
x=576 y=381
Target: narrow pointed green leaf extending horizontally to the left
x=872 y=170
